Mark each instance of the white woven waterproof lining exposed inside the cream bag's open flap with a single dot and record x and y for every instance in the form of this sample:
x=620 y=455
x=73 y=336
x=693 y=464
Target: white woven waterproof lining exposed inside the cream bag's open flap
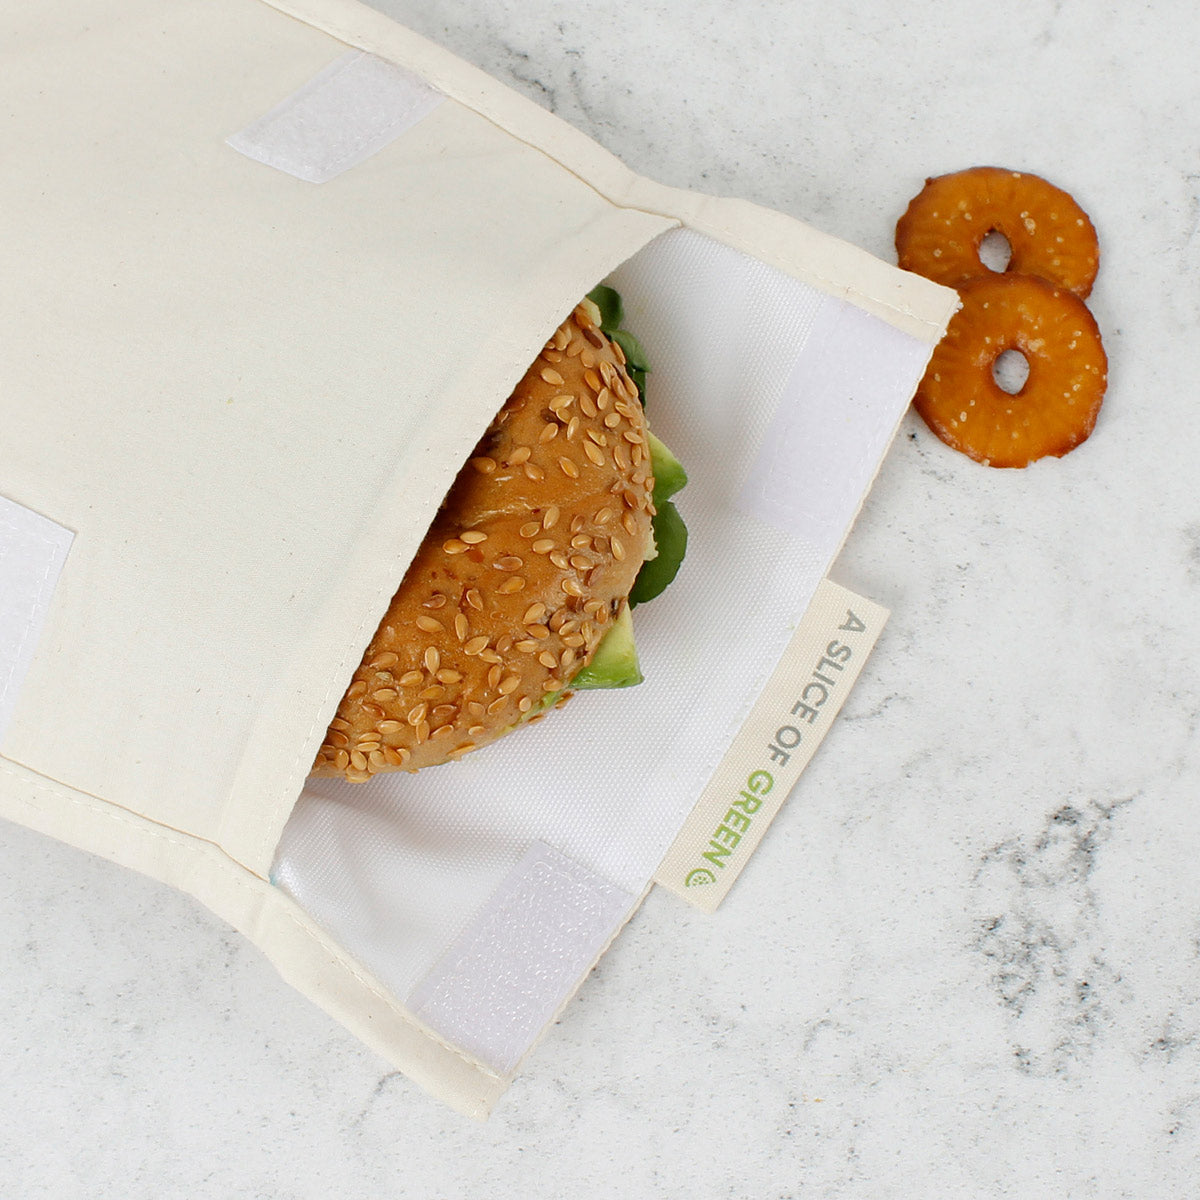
x=397 y=869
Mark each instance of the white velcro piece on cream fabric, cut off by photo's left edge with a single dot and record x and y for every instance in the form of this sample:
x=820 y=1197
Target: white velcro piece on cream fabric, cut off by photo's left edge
x=33 y=550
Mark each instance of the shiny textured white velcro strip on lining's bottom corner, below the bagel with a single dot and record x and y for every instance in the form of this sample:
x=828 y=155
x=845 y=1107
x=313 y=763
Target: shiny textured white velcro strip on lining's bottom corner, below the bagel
x=523 y=958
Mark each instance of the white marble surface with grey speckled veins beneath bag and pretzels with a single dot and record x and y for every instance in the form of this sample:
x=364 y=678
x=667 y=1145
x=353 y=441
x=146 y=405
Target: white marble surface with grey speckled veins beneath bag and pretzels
x=967 y=962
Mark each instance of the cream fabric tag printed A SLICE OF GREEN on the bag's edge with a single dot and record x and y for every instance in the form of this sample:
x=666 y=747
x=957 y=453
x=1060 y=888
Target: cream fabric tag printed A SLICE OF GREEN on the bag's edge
x=787 y=725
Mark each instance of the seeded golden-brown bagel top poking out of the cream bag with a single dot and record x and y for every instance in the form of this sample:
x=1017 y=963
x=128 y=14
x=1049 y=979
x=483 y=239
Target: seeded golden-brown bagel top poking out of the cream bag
x=532 y=555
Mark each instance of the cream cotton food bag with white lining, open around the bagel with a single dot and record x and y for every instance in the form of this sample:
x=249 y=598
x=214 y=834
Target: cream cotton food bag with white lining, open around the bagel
x=273 y=269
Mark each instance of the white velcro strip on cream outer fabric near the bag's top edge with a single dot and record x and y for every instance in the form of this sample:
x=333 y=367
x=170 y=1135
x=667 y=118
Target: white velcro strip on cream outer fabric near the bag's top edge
x=356 y=107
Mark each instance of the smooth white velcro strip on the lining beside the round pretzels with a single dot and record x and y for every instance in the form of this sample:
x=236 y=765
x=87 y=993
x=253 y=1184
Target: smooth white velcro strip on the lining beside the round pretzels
x=848 y=391
